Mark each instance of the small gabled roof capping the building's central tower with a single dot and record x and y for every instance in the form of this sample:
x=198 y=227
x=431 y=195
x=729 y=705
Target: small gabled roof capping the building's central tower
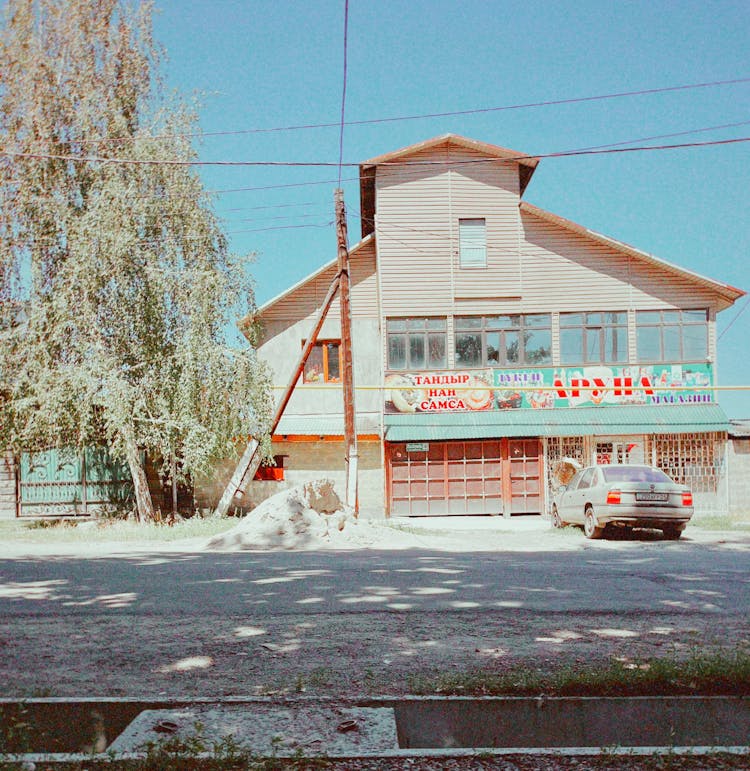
x=526 y=166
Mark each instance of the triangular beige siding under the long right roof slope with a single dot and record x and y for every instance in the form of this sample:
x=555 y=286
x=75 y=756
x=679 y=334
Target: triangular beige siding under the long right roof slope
x=564 y=271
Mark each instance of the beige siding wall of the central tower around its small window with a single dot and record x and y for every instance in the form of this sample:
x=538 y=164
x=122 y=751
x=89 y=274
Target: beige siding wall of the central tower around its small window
x=417 y=213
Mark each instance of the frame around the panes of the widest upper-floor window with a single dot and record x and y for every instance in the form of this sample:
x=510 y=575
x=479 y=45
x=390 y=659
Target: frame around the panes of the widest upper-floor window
x=487 y=327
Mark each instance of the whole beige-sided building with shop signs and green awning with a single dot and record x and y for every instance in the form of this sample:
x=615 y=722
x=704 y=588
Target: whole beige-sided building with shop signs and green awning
x=491 y=339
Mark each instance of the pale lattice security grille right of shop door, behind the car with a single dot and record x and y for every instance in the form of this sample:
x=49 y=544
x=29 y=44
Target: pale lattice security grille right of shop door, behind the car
x=695 y=460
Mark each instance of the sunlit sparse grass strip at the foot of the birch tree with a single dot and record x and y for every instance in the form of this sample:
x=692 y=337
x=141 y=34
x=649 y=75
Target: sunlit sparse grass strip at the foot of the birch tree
x=107 y=530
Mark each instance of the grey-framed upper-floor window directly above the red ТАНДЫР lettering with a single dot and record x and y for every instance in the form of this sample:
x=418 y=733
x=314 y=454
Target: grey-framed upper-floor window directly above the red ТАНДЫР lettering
x=417 y=343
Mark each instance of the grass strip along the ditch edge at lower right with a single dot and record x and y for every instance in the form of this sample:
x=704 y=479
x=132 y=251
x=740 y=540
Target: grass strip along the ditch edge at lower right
x=714 y=674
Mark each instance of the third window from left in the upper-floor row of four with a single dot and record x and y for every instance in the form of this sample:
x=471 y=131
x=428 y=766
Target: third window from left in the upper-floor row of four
x=594 y=338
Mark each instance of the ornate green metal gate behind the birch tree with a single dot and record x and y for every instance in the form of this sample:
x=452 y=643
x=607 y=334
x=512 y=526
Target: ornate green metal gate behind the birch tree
x=62 y=482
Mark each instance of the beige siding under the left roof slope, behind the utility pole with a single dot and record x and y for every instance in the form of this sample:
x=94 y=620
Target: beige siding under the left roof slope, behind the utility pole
x=305 y=301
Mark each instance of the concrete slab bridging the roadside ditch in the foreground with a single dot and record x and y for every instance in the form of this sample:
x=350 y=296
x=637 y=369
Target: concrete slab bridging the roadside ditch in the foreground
x=268 y=730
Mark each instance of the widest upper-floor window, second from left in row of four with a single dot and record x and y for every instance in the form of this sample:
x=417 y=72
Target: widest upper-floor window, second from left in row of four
x=503 y=341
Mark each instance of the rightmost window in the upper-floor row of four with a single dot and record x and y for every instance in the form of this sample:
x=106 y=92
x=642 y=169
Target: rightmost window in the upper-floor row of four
x=672 y=336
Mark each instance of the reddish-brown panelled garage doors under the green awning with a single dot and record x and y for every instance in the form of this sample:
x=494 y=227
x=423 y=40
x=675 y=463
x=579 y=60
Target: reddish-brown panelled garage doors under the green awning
x=500 y=476
